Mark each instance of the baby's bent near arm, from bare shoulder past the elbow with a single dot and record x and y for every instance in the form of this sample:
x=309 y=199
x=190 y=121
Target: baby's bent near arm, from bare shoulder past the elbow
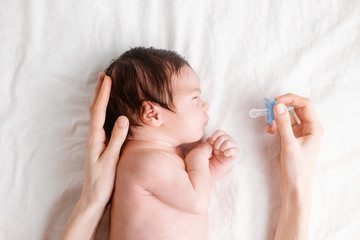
x=187 y=191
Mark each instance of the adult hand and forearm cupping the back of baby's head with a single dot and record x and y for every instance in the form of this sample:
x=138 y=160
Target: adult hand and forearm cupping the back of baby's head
x=100 y=168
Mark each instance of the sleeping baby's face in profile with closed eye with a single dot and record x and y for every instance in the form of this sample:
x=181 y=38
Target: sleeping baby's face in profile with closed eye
x=187 y=124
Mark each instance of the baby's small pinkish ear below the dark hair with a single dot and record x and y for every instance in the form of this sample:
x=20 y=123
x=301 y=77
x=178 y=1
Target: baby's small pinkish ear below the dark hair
x=150 y=114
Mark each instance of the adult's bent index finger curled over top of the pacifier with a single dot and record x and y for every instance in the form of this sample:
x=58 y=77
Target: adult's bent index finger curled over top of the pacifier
x=302 y=106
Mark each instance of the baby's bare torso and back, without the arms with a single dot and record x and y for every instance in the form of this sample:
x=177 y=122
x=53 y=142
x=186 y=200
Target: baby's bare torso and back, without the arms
x=137 y=214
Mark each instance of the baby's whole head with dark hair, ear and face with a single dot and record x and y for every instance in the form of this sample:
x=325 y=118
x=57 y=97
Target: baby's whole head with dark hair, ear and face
x=159 y=93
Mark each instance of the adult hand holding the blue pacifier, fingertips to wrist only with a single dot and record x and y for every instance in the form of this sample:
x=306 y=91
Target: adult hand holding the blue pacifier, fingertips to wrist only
x=300 y=143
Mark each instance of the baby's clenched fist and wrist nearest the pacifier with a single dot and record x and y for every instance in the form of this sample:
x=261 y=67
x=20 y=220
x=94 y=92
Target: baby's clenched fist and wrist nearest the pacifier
x=225 y=150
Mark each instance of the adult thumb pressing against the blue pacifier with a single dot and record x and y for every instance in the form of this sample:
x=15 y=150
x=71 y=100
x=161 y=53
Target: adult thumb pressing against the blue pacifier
x=283 y=122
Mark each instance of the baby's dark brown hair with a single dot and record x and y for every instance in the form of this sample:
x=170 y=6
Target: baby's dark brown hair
x=140 y=74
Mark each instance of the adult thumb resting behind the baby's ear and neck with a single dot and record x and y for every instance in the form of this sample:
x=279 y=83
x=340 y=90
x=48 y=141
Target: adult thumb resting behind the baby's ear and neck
x=118 y=136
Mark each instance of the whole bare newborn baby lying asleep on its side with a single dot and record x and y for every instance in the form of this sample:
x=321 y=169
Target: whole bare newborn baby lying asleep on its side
x=159 y=192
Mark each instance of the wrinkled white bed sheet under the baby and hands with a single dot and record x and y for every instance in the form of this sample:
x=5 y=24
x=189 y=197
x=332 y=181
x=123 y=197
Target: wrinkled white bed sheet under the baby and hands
x=243 y=51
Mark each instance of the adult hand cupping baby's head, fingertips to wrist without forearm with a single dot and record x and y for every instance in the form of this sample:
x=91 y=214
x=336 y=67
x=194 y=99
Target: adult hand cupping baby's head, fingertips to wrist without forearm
x=101 y=160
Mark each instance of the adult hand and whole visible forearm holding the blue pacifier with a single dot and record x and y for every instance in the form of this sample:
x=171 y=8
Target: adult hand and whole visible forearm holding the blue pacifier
x=299 y=148
